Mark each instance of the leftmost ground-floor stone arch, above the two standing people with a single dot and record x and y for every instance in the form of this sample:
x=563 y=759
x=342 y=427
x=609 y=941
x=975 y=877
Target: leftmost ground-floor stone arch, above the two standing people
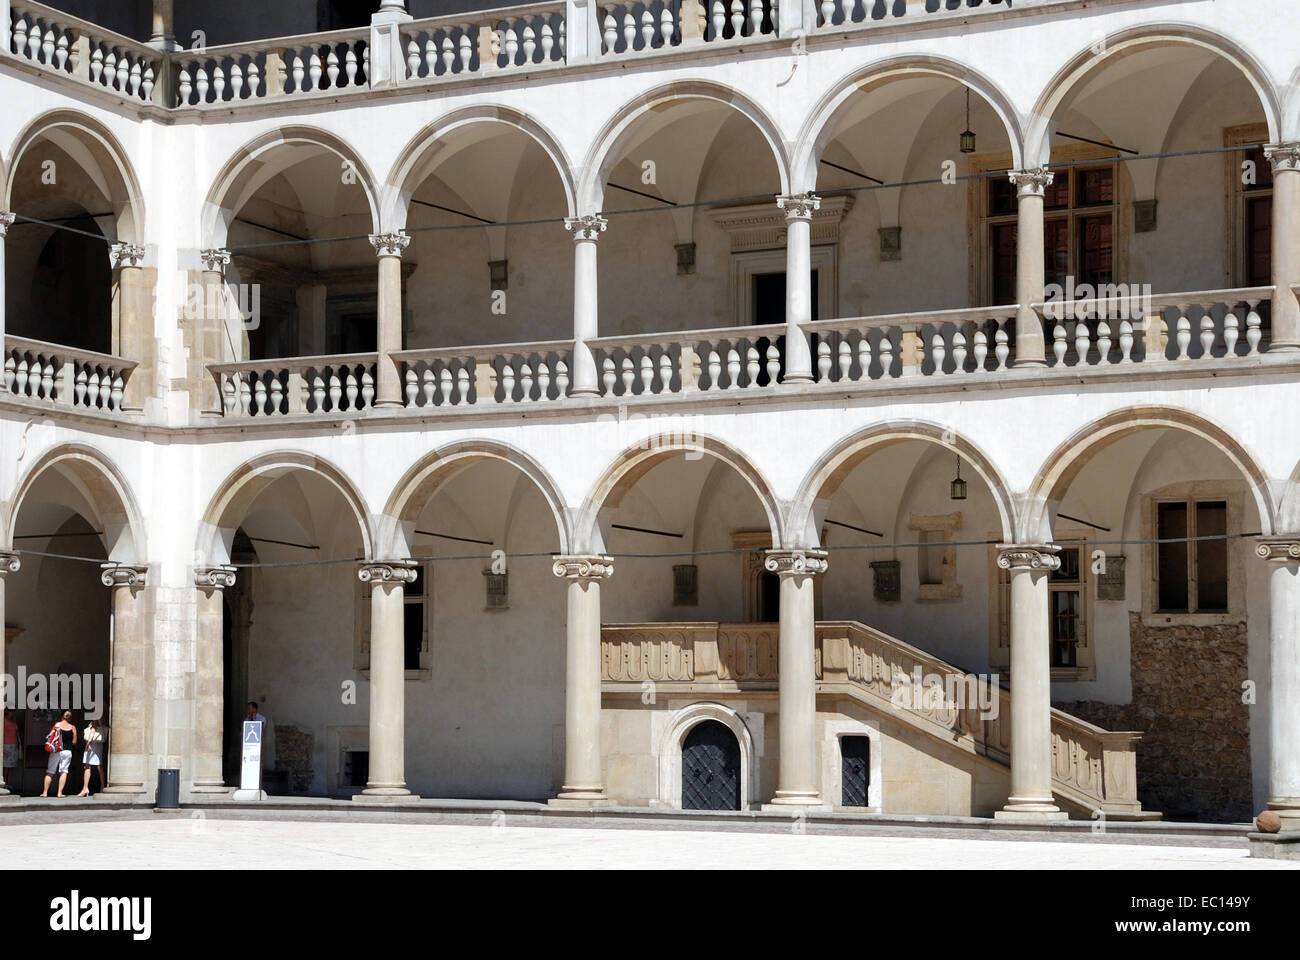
x=102 y=486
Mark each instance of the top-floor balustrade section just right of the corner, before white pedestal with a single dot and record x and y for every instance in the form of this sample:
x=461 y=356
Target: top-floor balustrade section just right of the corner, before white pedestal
x=327 y=63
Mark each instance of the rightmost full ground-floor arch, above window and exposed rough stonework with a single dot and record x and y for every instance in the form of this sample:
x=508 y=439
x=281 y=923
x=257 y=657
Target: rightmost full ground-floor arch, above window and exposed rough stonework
x=1064 y=465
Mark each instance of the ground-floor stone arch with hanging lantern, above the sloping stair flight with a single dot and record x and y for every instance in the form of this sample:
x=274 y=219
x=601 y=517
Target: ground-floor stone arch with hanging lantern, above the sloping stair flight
x=835 y=466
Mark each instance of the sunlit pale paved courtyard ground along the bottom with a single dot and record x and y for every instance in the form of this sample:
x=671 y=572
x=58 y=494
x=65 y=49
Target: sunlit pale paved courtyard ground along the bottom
x=320 y=845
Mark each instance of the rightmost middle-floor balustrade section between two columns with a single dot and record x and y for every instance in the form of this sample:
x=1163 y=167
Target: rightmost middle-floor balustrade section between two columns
x=1210 y=326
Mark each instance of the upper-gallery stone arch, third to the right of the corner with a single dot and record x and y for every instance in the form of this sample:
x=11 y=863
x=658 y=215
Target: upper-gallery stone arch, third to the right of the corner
x=606 y=149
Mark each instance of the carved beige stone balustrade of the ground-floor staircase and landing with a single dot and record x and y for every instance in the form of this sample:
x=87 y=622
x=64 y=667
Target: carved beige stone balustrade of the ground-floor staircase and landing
x=1093 y=767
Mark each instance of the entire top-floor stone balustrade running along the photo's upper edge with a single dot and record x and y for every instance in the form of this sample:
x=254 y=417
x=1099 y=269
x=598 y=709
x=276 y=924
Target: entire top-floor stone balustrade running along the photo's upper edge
x=508 y=40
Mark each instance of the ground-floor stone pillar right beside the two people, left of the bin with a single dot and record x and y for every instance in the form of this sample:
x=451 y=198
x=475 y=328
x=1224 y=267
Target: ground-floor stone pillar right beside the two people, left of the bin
x=131 y=721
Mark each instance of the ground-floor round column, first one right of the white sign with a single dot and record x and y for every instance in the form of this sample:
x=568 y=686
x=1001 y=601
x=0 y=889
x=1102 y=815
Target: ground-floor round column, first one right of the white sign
x=388 y=582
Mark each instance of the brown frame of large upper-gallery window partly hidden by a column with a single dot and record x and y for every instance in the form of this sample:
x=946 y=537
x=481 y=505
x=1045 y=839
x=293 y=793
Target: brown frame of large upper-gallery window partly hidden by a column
x=980 y=222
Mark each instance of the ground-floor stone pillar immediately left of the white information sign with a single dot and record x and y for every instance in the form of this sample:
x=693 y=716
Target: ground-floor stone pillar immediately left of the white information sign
x=210 y=680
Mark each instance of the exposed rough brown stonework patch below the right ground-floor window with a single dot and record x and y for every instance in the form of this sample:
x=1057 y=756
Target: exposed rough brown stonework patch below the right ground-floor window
x=1194 y=762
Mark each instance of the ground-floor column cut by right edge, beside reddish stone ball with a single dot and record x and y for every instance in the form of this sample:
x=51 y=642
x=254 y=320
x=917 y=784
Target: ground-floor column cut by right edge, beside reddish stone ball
x=1284 y=557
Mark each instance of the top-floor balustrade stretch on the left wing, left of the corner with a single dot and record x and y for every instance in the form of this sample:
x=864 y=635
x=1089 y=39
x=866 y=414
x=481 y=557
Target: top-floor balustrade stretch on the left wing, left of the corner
x=86 y=53
